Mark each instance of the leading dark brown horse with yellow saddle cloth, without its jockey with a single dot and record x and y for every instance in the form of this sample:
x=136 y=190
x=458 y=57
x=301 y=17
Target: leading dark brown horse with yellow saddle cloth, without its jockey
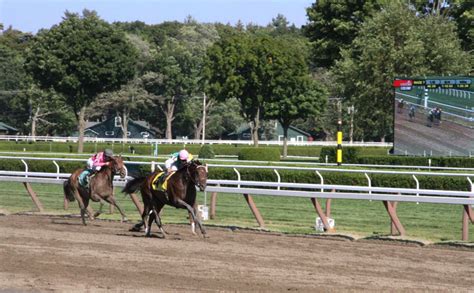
x=181 y=193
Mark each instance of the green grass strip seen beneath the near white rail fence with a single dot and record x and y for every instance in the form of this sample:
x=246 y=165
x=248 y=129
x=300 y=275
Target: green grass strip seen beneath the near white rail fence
x=362 y=218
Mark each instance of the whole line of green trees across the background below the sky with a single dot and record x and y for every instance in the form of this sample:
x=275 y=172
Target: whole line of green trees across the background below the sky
x=346 y=56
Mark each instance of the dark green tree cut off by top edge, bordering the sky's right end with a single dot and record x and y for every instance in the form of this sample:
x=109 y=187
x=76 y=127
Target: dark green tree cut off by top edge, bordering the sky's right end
x=332 y=26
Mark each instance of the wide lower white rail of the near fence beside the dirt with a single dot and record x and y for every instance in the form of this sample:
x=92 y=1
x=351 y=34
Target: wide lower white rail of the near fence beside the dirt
x=288 y=189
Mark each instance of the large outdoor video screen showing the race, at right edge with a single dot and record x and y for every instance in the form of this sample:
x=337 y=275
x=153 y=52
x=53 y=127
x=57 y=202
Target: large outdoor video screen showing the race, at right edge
x=434 y=116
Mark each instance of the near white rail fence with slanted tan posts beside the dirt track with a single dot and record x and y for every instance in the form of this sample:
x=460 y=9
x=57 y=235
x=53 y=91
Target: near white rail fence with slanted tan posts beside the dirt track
x=388 y=195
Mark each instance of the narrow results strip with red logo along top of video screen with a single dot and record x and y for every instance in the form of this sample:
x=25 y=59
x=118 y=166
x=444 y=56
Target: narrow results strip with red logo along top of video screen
x=406 y=84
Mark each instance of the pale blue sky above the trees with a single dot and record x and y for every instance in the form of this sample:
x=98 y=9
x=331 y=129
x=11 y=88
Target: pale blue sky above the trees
x=32 y=15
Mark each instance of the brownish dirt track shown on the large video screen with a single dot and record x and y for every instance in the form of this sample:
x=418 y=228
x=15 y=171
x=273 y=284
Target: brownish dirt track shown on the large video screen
x=416 y=137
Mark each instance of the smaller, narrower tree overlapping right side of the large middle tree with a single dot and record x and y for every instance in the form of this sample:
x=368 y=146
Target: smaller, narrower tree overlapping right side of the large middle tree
x=294 y=94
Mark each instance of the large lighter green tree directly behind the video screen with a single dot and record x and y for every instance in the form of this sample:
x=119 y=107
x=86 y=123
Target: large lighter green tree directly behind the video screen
x=394 y=43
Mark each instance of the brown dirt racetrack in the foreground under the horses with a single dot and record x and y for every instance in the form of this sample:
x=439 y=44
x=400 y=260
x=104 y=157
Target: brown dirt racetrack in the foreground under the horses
x=53 y=253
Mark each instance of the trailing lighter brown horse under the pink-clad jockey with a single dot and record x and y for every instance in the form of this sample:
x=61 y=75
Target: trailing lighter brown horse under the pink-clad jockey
x=100 y=187
